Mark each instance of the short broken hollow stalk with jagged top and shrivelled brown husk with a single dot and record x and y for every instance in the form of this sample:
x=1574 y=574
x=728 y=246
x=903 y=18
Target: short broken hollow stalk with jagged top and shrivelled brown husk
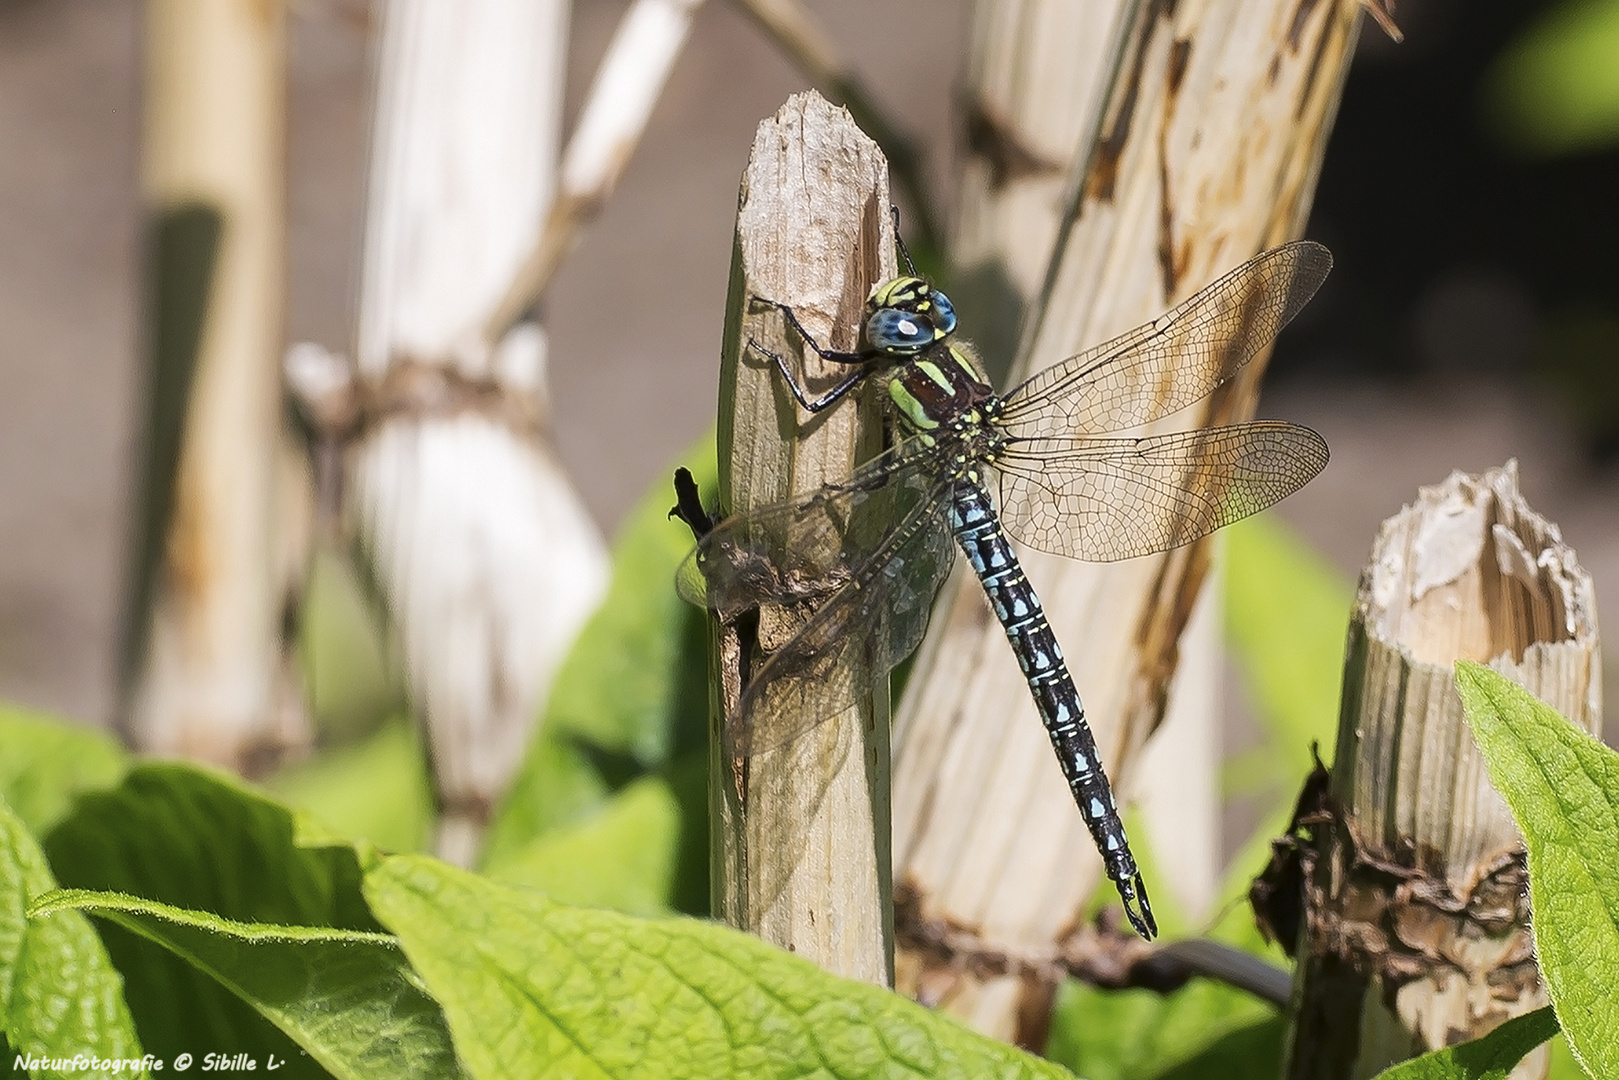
x=1416 y=929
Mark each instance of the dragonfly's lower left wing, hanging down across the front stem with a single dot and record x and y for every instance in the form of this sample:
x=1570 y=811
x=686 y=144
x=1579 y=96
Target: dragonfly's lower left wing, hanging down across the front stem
x=859 y=636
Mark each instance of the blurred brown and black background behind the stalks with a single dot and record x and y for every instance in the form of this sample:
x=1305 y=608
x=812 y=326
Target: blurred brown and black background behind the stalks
x=1469 y=197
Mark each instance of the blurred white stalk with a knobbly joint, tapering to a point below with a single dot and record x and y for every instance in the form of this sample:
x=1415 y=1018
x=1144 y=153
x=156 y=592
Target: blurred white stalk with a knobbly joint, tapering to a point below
x=483 y=551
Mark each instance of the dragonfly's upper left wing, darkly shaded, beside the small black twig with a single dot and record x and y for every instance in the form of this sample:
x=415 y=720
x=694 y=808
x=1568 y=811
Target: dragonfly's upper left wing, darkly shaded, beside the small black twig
x=805 y=548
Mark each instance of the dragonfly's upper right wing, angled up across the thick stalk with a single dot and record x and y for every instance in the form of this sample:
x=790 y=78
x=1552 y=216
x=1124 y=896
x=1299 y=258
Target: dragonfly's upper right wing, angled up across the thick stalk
x=1176 y=360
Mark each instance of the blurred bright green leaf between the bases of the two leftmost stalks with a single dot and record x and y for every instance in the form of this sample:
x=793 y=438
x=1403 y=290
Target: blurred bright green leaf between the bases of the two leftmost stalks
x=376 y=789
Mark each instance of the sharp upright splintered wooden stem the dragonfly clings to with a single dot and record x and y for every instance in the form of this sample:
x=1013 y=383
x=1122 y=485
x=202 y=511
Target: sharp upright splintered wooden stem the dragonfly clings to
x=802 y=831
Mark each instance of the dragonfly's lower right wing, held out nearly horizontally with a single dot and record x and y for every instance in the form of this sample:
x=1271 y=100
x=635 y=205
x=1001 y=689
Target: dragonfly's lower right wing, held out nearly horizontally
x=1107 y=500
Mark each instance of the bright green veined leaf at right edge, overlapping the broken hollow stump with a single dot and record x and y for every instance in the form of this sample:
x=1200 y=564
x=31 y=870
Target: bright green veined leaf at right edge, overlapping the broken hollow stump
x=1563 y=788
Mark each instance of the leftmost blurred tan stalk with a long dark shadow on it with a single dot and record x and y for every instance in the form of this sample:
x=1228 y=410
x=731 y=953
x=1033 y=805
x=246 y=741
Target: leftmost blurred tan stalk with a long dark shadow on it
x=205 y=621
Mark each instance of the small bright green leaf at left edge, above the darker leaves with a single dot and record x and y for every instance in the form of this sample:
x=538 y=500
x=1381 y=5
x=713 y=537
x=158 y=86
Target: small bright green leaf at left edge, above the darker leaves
x=46 y=762
